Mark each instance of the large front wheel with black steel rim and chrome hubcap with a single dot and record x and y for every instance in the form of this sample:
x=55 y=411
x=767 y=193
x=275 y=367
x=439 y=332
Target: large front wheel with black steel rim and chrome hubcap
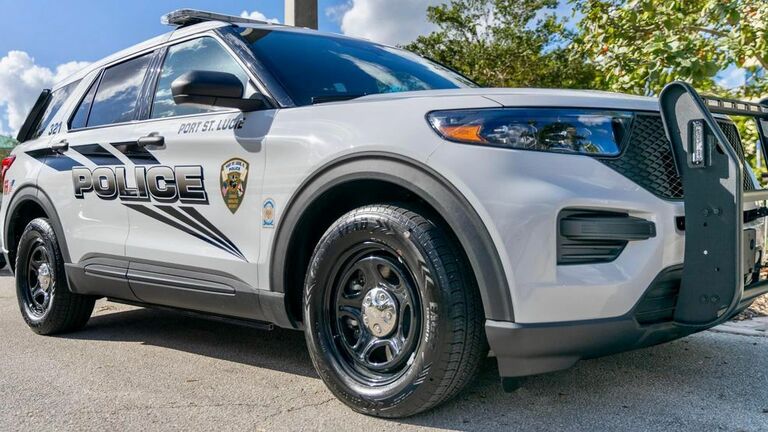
x=389 y=259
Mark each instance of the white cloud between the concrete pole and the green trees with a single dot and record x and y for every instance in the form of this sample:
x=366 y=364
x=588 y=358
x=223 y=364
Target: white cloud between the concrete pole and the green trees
x=392 y=22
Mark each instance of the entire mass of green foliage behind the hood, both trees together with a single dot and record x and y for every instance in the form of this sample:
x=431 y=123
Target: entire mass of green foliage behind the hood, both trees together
x=630 y=46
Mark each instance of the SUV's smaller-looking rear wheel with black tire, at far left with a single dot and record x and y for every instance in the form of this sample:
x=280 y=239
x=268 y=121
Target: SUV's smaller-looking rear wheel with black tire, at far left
x=46 y=304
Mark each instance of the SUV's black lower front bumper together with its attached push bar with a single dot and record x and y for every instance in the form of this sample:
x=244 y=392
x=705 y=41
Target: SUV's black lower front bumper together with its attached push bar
x=721 y=274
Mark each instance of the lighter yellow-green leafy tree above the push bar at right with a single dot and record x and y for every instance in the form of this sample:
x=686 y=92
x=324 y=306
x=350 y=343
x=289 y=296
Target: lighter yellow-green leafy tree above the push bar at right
x=638 y=46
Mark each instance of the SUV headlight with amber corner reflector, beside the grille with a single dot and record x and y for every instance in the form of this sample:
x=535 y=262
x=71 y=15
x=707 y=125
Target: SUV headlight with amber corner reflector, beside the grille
x=594 y=132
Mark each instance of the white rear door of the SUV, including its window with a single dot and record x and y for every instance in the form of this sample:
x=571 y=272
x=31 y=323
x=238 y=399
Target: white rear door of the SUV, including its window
x=90 y=170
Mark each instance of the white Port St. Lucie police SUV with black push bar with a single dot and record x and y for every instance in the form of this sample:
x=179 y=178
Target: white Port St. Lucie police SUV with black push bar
x=403 y=218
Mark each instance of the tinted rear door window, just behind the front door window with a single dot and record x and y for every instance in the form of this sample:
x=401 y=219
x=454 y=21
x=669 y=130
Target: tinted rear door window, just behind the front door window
x=118 y=92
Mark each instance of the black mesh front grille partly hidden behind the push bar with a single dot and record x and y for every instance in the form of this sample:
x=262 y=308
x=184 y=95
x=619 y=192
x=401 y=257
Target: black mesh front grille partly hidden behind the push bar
x=648 y=159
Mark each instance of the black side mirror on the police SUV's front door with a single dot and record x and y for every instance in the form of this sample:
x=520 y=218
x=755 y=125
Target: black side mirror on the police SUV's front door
x=210 y=88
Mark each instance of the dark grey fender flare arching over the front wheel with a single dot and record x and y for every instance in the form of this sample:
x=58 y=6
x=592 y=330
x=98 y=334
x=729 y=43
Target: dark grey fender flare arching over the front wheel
x=423 y=182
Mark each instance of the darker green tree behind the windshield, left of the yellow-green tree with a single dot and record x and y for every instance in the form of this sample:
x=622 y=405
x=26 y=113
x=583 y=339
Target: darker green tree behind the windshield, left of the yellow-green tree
x=504 y=43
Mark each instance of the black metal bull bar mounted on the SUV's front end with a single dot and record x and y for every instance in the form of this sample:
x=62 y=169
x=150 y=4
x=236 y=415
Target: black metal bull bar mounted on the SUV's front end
x=719 y=275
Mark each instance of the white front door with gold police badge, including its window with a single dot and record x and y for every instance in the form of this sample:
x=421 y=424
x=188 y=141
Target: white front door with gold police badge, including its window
x=195 y=243
